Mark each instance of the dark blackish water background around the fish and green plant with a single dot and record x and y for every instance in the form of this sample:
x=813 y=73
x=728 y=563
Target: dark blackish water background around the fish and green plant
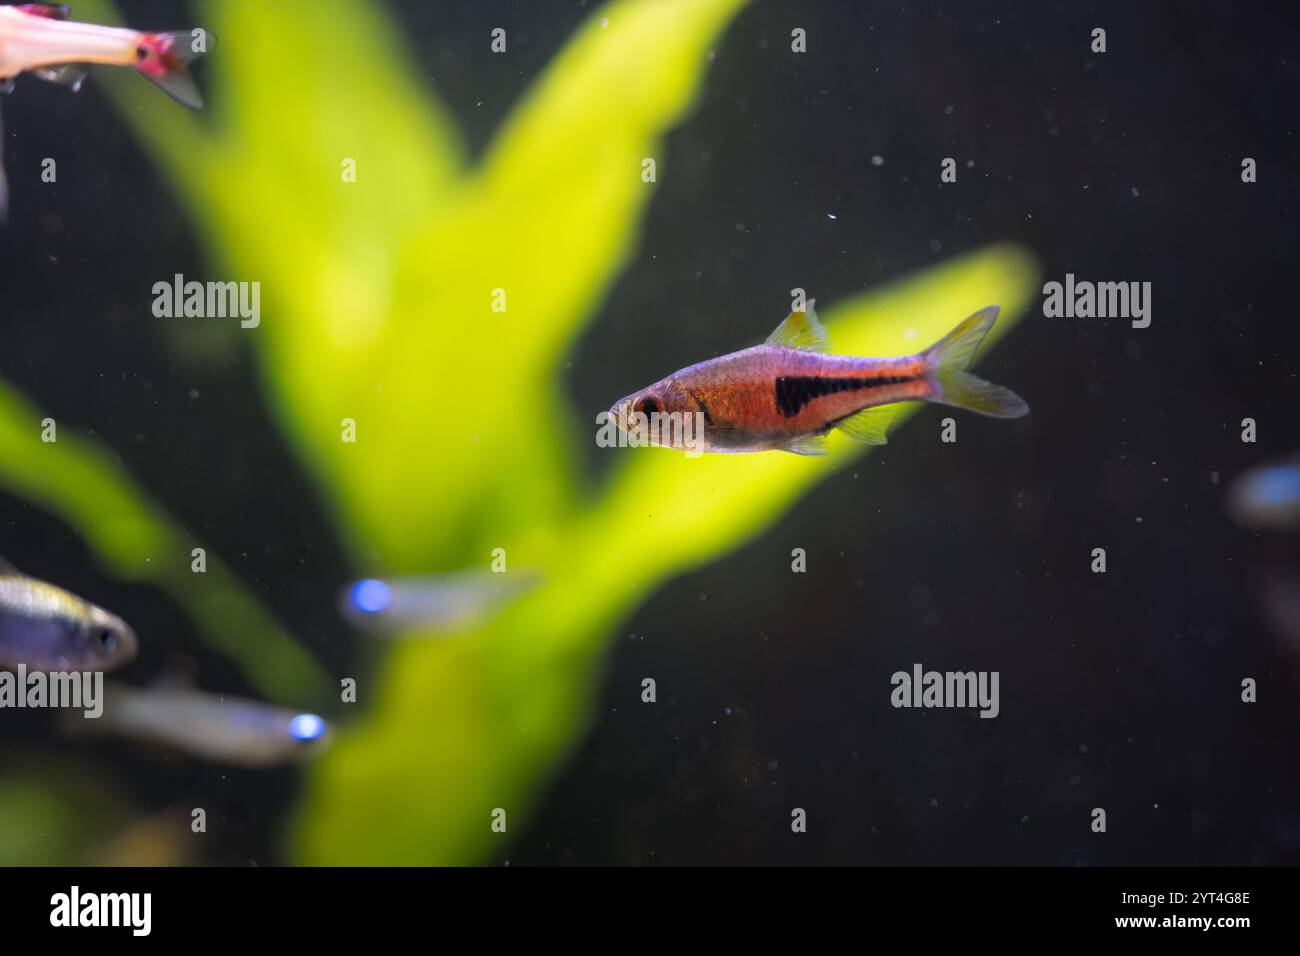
x=1117 y=691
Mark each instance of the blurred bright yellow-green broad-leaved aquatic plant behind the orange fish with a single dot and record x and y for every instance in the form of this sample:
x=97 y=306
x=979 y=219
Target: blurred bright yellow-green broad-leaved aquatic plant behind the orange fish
x=378 y=310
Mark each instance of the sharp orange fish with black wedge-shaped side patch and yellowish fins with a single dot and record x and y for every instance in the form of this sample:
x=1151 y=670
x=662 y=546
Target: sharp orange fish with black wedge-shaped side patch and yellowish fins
x=788 y=392
